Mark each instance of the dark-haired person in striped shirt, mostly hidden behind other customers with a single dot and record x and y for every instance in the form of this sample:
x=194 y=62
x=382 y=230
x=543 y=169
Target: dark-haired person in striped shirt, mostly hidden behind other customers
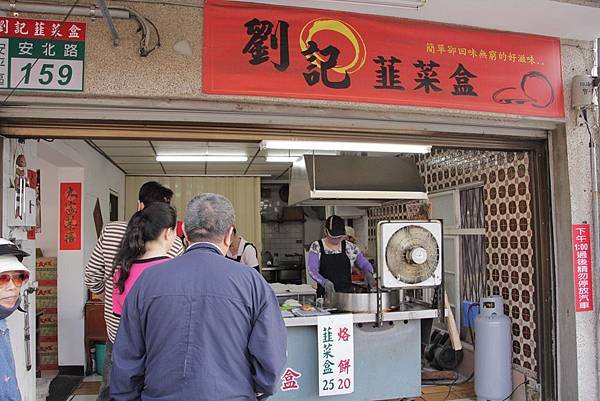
x=99 y=269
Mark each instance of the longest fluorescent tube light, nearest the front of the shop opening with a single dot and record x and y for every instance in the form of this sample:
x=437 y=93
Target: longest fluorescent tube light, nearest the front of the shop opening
x=346 y=146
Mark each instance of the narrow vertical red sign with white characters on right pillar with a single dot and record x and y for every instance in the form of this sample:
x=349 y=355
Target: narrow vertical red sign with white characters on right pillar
x=582 y=268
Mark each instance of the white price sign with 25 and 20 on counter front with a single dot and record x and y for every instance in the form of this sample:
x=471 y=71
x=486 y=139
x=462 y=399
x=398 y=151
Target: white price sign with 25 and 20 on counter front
x=336 y=355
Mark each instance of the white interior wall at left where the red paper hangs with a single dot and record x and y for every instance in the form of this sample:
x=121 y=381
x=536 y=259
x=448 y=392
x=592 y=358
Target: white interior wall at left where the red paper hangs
x=73 y=161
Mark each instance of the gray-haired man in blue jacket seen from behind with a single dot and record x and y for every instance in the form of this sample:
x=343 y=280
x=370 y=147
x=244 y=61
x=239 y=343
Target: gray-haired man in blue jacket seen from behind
x=200 y=327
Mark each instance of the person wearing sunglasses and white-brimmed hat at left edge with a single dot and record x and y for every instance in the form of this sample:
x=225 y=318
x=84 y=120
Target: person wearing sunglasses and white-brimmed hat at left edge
x=13 y=275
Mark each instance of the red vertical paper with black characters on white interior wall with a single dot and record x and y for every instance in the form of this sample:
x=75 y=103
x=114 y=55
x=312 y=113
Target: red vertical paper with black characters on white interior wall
x=70 y=216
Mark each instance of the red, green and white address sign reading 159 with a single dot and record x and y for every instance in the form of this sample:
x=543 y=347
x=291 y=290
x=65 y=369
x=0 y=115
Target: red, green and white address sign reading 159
x=60 y=48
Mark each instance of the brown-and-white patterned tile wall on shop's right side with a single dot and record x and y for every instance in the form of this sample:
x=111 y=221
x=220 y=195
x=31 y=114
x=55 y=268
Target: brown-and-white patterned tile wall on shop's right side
x=509 y=247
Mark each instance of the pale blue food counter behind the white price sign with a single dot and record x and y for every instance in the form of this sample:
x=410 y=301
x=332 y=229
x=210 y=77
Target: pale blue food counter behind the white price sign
x=387 y=360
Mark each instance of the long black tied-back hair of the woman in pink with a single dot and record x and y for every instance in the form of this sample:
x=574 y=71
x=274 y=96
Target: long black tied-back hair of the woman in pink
x=145 y=225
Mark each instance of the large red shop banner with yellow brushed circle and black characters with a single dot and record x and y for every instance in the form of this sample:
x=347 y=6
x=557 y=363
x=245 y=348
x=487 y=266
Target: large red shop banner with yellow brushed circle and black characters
x=289 y=52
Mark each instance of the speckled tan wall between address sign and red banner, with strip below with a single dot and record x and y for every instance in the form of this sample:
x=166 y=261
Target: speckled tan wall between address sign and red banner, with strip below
x=169 y=75
